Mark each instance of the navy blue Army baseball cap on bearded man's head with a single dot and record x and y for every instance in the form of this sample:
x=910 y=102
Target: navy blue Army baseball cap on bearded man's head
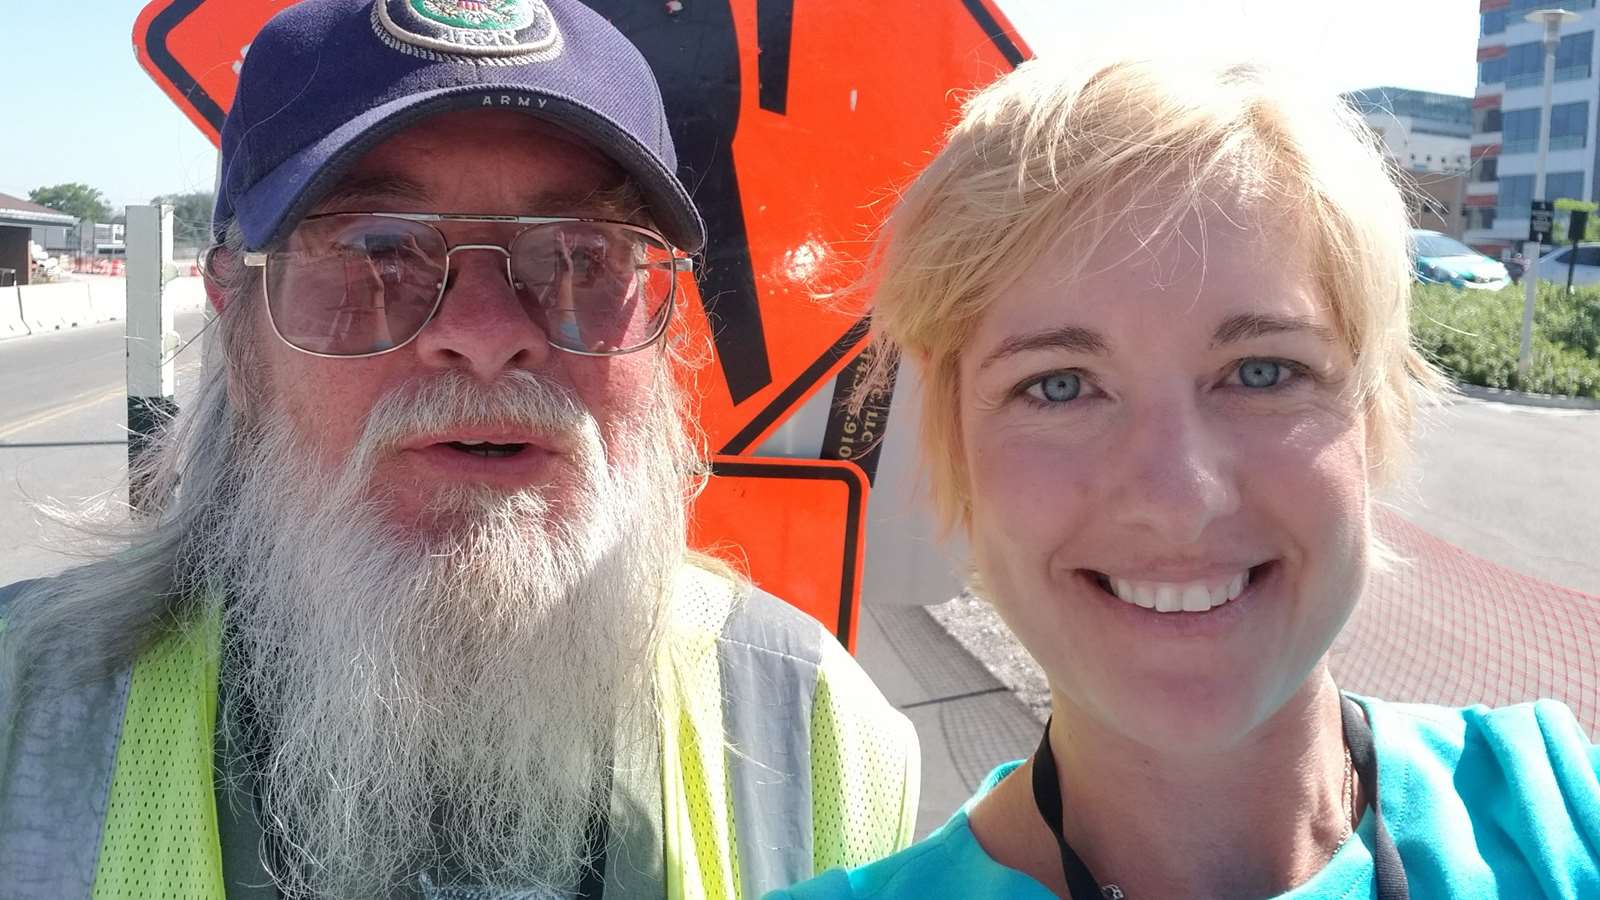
x=326 y=81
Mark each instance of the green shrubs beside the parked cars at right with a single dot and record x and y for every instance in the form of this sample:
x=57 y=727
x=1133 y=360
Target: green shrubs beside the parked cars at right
x=1476 y=337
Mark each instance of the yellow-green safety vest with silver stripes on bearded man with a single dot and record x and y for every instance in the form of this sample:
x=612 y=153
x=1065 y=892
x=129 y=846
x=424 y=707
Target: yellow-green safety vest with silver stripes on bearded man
x=778 y=760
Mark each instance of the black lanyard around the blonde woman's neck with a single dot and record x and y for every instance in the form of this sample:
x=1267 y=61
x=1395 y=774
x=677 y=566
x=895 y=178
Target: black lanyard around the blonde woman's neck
x=1390 y=872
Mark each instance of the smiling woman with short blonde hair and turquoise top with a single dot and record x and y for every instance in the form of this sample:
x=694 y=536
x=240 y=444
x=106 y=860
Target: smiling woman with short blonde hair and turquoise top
x=1161 y=313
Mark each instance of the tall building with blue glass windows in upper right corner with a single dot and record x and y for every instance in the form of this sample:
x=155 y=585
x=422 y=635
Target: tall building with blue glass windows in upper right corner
x=1506 y=116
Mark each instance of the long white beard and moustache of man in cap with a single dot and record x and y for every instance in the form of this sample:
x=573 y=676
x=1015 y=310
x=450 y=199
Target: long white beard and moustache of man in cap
x=446 y=699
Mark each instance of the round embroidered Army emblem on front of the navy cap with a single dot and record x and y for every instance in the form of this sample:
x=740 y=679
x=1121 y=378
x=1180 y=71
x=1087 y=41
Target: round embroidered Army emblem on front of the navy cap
x=479 y=31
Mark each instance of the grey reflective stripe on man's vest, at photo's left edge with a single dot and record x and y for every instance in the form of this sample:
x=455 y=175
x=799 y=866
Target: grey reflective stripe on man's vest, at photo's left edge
x=57 y=761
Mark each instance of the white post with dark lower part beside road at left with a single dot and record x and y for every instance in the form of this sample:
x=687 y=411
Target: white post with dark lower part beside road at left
x=151 y=344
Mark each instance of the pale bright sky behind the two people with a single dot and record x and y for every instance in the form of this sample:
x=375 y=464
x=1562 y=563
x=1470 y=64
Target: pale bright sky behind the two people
x=92 y=115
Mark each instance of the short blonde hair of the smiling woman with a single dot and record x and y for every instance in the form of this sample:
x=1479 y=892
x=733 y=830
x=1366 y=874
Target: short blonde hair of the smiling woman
x=1046 y=153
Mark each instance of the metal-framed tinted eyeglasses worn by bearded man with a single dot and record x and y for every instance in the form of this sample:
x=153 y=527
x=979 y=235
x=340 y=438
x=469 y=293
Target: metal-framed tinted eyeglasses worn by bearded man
x=367 y=284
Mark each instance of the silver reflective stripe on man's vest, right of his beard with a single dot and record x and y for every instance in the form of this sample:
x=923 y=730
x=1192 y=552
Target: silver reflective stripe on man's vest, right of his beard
x=769 y=656
